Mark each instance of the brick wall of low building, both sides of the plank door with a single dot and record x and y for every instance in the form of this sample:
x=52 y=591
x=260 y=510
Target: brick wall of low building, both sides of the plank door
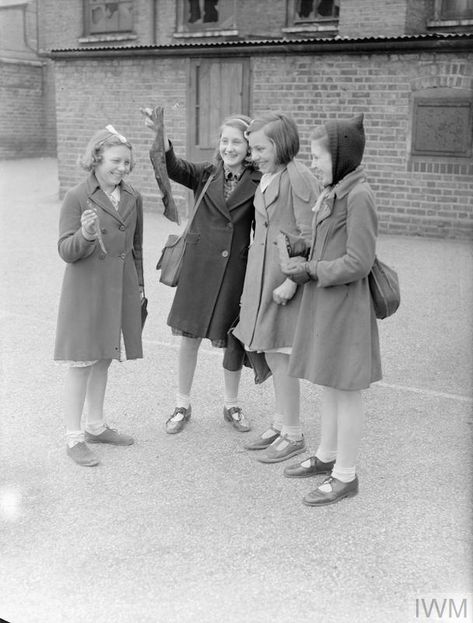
x=92 y=93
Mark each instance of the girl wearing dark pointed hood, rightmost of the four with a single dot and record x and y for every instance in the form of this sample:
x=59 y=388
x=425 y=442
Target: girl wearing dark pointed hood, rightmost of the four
x=336 y=343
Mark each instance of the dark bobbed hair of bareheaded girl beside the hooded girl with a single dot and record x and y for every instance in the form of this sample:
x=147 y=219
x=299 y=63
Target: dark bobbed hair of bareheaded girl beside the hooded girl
x=282 y=131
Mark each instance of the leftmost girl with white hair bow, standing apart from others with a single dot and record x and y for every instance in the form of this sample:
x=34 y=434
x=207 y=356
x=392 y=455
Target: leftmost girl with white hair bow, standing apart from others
x=99 y=319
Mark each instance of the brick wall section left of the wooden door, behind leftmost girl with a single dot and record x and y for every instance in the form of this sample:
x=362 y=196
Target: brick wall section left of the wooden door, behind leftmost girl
x=92 y=94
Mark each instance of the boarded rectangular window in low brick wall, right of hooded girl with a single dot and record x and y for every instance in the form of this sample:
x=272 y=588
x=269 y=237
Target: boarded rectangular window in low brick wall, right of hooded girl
x=442 y=127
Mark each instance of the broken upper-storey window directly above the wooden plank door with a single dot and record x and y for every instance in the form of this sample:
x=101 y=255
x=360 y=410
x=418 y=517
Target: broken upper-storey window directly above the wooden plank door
x=198 y=15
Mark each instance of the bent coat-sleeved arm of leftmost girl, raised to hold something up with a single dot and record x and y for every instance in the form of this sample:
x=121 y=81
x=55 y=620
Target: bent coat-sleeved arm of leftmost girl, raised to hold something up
x=72 y=245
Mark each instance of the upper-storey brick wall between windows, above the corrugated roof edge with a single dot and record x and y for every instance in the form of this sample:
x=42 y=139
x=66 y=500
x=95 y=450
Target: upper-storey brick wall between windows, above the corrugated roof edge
x=61 y=24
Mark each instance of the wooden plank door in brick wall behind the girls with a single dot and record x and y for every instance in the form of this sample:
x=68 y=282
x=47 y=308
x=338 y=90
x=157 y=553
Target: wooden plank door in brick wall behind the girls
x=218 y=88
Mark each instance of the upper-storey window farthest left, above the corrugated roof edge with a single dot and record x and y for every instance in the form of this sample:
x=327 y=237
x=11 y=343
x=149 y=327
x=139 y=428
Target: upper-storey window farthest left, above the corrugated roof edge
x=109 y=17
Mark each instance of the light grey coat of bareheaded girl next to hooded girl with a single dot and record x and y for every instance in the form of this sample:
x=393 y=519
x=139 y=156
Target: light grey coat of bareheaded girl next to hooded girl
x=286 y=205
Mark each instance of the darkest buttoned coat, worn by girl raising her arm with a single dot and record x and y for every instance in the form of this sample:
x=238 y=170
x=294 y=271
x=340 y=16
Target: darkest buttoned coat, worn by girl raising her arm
x=207 y=297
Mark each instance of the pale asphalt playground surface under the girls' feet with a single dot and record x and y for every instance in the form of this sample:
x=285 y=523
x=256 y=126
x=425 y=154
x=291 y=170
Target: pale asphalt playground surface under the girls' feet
x=190 y=528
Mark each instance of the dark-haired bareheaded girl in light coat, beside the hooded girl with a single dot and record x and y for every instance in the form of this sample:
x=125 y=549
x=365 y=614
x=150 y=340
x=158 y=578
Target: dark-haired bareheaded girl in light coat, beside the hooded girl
x=270 y=301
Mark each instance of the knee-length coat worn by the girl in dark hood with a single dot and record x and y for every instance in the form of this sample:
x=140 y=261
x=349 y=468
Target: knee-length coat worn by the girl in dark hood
x=336 y=342
